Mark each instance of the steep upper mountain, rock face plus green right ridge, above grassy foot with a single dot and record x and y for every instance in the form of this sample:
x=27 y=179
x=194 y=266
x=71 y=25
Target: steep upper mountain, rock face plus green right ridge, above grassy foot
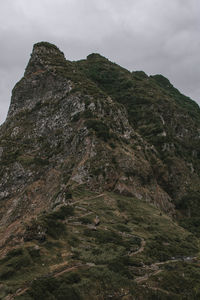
x=94 y=125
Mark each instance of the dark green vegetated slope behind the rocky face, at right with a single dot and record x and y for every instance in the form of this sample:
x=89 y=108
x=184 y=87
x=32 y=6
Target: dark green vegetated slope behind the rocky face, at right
x=164 y=117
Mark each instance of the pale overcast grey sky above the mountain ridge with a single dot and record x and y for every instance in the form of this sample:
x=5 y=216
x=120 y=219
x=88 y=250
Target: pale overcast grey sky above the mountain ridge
x=156 y=36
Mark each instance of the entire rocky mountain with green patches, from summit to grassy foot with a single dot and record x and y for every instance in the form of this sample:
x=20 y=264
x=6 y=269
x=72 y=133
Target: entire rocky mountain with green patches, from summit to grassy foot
x=99 y=184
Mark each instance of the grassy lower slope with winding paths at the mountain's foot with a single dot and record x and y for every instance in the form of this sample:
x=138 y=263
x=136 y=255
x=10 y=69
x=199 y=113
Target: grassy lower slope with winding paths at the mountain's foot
x=132 y=246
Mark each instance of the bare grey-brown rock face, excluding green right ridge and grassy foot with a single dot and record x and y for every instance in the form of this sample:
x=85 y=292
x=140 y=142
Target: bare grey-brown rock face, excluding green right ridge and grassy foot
x=62 y=130
